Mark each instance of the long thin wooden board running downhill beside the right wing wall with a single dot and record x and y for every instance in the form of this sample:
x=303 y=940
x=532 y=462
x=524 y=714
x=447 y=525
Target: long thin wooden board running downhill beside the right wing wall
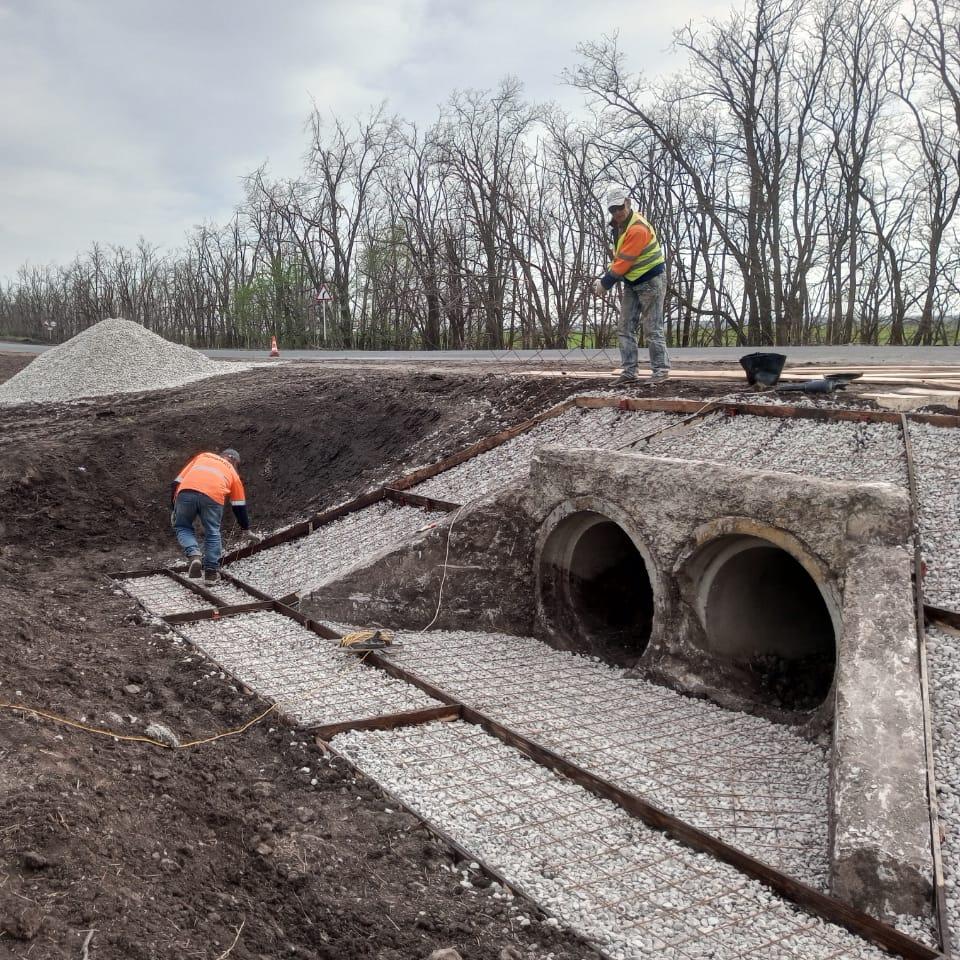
x=940 y=901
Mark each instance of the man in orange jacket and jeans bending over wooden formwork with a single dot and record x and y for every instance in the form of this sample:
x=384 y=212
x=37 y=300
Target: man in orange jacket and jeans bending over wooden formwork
x=200 y=491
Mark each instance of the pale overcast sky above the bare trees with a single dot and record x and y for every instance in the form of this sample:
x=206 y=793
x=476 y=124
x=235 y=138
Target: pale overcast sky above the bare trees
x=122 y=118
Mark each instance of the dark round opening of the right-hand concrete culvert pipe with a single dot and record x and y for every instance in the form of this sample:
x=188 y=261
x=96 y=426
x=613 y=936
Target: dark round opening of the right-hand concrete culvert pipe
x=761 y=609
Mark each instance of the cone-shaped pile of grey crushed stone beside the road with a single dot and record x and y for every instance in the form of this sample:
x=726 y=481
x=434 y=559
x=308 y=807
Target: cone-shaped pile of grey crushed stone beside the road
x=113 y=356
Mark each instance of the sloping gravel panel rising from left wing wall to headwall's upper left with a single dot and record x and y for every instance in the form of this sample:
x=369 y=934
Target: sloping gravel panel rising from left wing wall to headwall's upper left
x=578 y=427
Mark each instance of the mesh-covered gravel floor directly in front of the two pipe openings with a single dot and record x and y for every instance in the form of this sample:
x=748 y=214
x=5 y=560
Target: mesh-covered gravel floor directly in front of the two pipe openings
x=748 y=781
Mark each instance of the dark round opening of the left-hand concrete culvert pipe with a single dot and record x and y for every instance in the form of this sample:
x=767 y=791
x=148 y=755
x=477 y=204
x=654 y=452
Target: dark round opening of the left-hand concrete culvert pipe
x=595 y=591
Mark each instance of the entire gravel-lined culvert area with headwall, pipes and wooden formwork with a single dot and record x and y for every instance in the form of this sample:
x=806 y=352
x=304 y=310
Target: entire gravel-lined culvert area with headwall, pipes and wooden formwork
x=683 y=699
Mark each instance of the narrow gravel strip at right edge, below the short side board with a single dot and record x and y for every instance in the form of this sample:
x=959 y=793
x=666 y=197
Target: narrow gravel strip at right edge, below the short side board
x=943 y=660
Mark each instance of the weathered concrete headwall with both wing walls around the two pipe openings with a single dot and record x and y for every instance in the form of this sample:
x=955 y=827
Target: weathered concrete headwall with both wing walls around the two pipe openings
x=851 y=539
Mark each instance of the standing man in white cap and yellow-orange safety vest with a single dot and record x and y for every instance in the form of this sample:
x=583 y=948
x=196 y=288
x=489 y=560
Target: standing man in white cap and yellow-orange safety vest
x=638 y=261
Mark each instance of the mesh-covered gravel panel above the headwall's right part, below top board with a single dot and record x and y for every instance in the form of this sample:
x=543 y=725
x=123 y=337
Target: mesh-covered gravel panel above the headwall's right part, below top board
x=832 y=451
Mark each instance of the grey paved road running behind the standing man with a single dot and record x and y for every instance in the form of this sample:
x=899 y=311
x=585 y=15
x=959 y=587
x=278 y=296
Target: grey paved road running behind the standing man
x=834 y=355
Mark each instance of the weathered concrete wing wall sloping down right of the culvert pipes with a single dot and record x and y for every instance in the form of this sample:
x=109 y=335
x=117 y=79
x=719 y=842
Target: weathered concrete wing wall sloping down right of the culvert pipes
x=881 y=826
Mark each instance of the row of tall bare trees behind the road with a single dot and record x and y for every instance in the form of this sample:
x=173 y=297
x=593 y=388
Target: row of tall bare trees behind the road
x=803 y=170
